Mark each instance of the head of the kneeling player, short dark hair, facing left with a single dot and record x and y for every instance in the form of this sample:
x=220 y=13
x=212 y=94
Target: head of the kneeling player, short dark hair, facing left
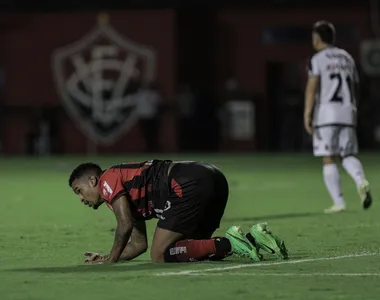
x=84 y=182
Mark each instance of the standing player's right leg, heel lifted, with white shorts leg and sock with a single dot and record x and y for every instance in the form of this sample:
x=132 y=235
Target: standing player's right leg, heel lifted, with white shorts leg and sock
x=349 y=149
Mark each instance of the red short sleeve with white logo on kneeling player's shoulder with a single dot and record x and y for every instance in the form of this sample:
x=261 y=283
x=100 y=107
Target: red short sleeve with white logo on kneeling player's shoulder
x=111 y=186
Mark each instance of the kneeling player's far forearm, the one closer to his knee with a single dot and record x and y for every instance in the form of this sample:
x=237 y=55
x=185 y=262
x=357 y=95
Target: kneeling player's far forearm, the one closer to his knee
x=138 y=243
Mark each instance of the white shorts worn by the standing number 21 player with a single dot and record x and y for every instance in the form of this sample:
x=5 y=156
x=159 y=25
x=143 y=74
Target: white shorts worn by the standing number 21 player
x=335 y=140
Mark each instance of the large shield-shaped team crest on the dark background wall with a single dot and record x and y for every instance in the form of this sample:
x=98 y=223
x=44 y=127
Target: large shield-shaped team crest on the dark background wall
x=97 y=78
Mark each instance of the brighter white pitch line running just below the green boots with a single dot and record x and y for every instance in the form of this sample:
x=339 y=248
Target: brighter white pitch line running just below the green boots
x=256 y=265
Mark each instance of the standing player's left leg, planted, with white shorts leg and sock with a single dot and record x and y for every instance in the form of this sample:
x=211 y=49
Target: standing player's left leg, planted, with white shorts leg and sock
x=326 y=145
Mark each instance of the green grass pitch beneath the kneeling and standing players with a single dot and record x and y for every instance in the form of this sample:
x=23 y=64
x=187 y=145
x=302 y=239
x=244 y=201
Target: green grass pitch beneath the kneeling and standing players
x=44 y=231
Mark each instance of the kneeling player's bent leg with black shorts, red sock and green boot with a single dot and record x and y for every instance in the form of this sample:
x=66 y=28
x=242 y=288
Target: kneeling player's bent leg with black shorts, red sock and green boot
x=184 y=231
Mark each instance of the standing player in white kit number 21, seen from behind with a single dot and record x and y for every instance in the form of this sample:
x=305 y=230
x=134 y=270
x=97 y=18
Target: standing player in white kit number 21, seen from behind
x=331 y=99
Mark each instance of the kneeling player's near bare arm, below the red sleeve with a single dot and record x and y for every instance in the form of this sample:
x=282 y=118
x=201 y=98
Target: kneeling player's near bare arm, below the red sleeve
x=124 y=227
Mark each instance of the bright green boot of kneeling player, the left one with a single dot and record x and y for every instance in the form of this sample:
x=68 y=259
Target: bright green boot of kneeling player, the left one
x=241 y=246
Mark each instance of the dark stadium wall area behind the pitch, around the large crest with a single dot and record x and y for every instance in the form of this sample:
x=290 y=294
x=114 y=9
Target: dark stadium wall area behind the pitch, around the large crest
x=264 y=45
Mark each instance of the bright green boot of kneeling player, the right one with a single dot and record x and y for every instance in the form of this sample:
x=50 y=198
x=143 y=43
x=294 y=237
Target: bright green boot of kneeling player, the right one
x=268 y=242
